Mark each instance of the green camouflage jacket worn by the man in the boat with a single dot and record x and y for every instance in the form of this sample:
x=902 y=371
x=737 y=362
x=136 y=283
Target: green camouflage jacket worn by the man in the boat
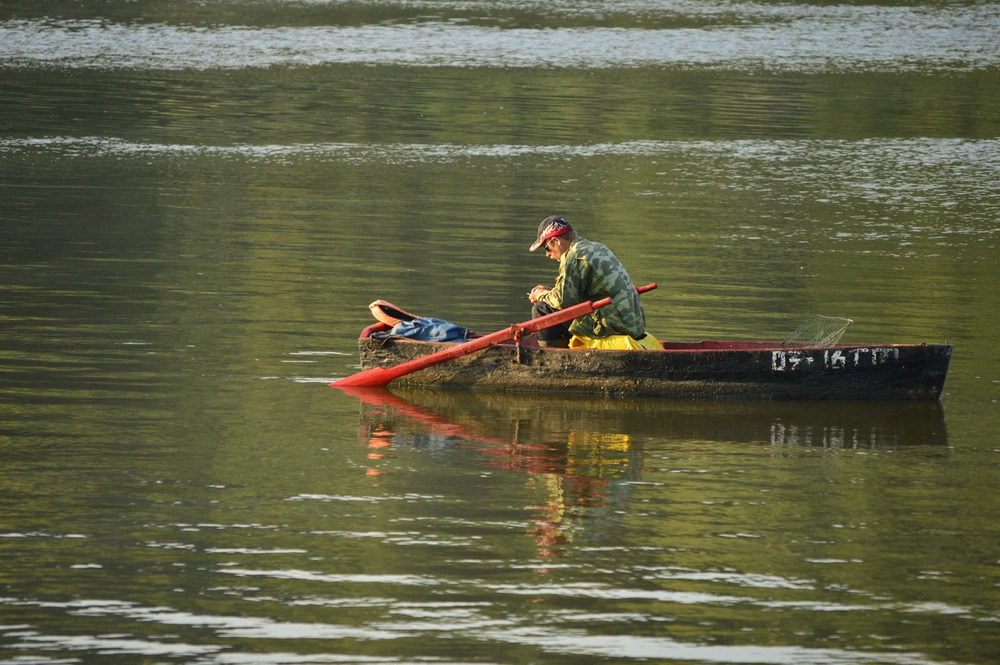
x=590 y=271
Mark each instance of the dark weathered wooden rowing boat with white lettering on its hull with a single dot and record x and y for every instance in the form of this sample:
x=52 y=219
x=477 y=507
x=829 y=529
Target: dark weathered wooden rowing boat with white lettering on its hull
x=706 y=369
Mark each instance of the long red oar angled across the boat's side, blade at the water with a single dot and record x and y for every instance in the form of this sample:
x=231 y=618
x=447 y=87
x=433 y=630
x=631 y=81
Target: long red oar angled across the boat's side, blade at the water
x=381 y=376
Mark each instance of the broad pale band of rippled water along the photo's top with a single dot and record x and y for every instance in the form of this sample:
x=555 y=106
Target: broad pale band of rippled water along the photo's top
x=955 y=38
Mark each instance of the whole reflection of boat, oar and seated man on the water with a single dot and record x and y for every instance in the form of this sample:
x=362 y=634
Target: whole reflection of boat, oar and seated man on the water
x=585 y=453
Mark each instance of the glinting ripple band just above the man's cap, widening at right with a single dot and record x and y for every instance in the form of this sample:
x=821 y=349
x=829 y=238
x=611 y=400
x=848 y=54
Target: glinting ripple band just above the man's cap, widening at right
x=951 y=172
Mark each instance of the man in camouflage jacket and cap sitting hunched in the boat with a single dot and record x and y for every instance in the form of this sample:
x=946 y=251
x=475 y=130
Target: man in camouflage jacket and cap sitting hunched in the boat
x=587 y=271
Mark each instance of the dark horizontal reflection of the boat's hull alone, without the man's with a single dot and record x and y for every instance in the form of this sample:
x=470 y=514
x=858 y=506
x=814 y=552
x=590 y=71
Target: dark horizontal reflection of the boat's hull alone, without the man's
x=537 y=421
